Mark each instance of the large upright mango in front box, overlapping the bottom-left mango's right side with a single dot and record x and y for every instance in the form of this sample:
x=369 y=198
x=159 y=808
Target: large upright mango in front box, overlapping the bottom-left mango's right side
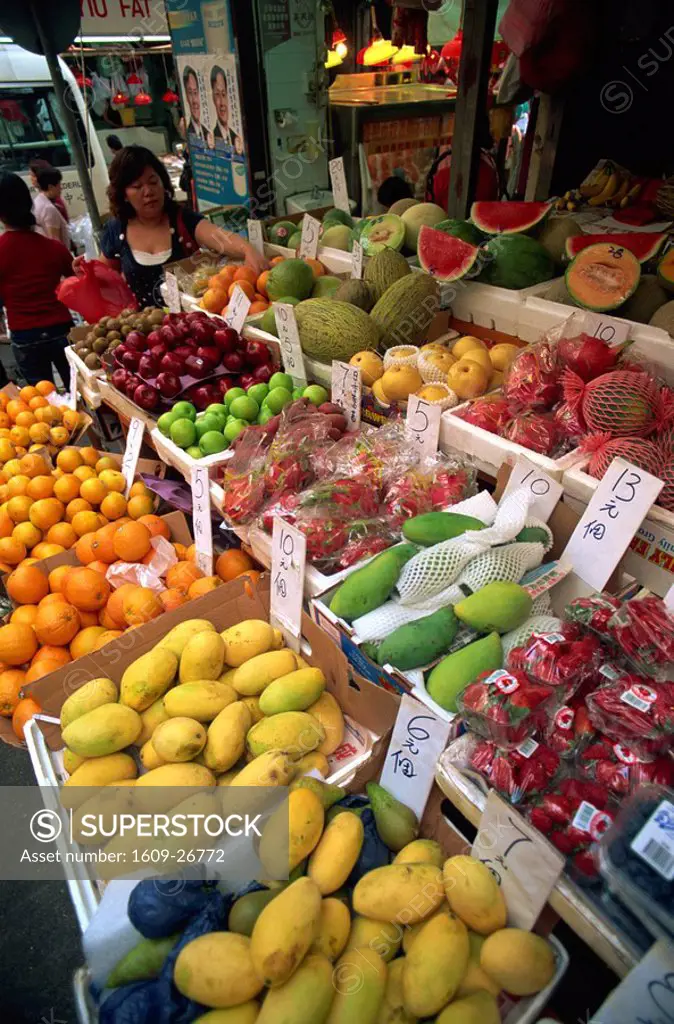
x=284 y=932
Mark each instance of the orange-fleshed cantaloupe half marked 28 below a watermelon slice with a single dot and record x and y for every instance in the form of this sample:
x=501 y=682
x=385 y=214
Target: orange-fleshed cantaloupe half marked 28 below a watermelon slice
x=603 y=277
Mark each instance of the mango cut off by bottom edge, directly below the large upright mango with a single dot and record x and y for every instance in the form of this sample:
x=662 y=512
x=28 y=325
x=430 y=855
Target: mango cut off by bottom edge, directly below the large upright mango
x=305 y=999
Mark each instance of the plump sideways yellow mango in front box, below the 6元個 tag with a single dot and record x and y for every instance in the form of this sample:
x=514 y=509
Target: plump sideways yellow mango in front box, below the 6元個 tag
x=404 y=893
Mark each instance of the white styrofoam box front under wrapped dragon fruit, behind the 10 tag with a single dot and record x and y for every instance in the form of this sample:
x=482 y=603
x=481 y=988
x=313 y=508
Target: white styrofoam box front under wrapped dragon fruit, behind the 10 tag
x=490 y=452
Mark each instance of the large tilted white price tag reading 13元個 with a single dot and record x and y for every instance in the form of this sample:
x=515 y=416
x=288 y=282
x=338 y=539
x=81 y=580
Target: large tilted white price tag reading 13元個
x=617 y=510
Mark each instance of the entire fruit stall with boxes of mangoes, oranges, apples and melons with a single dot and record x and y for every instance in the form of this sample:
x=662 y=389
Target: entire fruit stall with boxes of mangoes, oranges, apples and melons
x=450 y=443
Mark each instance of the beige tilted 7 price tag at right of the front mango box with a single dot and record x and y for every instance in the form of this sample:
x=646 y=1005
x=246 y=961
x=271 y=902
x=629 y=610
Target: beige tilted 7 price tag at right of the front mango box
x=525 y=865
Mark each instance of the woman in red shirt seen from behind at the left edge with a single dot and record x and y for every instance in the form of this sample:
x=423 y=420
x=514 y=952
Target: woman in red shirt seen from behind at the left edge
x=31 y=268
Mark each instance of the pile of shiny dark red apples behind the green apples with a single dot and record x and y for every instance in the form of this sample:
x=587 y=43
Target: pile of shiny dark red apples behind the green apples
x=192 y=356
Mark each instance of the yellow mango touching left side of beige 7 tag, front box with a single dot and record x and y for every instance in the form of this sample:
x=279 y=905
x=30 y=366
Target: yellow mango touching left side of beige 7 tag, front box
x=474 y=894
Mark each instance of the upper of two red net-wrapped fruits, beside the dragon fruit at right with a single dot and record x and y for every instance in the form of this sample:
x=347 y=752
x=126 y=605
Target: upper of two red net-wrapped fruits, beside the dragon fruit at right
x=624 y=403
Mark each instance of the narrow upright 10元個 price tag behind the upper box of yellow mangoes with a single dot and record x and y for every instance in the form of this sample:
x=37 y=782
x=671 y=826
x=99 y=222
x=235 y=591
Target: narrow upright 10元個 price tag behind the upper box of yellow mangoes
x=288 y=564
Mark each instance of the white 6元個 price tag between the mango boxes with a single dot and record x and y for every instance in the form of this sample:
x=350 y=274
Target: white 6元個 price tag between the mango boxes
x=419 y=738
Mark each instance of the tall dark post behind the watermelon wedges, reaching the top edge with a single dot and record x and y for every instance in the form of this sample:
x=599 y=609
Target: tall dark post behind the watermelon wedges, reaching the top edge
x=479 y=26
